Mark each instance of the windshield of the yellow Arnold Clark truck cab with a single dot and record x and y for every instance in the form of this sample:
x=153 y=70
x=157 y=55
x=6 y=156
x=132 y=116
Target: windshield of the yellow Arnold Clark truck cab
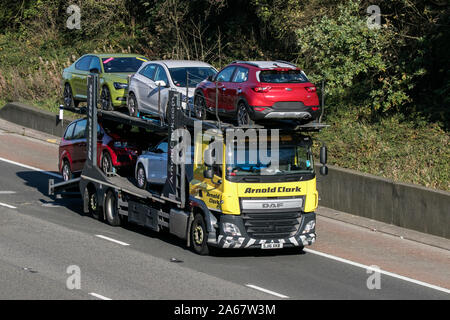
x=293 y=158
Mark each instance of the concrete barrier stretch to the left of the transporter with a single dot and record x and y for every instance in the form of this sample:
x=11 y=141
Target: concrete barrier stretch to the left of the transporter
x=33 y=118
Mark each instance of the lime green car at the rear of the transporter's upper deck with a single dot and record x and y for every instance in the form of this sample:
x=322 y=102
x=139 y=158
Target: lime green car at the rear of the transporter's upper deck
x=113 y=70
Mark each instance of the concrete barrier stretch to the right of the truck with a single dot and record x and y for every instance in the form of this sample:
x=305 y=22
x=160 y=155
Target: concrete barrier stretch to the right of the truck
x=401 y=204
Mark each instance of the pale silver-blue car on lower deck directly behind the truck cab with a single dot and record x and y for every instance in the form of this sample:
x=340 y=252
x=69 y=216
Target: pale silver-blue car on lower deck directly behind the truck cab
x=151 y=165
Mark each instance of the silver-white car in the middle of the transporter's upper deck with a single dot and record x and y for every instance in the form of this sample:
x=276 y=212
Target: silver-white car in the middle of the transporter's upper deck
x=143 y=94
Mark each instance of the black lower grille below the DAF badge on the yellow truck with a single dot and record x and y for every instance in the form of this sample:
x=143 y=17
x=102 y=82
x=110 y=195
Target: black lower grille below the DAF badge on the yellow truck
x=271 y=225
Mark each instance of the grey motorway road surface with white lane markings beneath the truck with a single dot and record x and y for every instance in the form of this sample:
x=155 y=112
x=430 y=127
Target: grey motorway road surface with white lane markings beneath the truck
x=41 y=237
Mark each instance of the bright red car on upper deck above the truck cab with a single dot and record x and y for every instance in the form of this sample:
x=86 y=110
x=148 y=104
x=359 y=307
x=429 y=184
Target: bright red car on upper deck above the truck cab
x=257 y=90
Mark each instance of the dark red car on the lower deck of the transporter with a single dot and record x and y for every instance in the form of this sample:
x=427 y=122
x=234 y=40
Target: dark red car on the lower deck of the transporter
x=113 y=150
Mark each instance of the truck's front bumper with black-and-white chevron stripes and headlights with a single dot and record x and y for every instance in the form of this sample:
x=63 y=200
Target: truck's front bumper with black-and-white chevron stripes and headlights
x=244 y=241
